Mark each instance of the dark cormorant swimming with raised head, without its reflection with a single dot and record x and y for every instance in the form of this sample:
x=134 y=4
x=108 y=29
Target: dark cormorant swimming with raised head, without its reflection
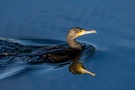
x=69 y=53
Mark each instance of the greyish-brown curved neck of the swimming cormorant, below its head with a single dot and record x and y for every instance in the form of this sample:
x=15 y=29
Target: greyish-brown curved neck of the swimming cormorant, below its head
x=74 y=44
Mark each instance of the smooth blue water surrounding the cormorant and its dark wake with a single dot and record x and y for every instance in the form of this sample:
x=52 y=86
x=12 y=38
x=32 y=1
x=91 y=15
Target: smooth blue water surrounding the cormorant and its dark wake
x=114 y=62
